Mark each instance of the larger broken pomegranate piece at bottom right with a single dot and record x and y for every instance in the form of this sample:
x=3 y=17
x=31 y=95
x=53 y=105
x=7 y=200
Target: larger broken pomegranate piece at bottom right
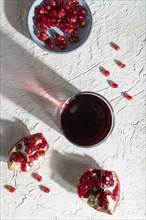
x=100 y=189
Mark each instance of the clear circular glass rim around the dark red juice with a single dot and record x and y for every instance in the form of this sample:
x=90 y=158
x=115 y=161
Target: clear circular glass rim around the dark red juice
x=108 y=105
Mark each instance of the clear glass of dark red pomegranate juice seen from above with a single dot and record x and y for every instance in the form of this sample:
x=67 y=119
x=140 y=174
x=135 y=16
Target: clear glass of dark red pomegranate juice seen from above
x=86 y=119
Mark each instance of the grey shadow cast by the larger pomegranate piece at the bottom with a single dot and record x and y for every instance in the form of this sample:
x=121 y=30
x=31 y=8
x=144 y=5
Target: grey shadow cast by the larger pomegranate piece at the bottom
x=68 y=168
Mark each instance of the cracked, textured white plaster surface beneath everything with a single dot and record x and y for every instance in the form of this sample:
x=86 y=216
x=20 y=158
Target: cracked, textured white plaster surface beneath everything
x=28 y=73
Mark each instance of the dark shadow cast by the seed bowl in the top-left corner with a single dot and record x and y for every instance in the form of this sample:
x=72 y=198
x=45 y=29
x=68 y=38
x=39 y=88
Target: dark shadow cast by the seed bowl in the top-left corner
x=16 y=13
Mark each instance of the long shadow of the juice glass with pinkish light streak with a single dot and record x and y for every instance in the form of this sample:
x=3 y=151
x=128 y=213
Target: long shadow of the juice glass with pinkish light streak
x=31 y=84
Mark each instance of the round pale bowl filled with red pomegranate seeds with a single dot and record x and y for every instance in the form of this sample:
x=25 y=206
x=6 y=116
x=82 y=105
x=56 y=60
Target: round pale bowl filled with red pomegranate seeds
x=59 y=25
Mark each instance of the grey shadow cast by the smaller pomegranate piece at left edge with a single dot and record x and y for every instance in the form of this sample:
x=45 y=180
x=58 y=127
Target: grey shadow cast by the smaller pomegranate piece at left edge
x=10 y=133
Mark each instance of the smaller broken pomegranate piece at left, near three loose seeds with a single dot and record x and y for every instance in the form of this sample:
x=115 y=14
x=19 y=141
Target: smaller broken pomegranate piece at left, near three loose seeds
x=27 y=152
